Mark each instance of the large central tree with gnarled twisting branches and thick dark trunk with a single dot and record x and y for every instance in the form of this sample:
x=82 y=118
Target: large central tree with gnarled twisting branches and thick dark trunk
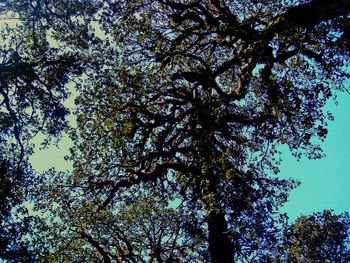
x=193 y=99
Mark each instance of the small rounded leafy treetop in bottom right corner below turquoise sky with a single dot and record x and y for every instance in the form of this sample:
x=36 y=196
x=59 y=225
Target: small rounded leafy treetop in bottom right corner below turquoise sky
x=321 y=237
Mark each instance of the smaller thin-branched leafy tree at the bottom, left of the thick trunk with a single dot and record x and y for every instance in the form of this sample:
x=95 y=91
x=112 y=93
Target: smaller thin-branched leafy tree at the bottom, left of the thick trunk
x=140 y=227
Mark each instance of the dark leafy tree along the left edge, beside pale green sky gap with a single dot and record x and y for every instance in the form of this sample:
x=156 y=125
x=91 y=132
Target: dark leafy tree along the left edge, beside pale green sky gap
x=33 y=76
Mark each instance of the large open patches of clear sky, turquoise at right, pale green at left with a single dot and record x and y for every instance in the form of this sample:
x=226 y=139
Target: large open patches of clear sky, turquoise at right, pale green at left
x=325 y=183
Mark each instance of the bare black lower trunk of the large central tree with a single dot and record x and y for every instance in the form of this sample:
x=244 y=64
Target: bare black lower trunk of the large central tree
x=221 y=249
